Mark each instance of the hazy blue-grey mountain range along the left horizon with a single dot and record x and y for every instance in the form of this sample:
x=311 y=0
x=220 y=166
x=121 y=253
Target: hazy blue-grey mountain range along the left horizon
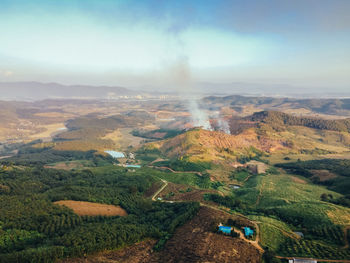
x=39 y=91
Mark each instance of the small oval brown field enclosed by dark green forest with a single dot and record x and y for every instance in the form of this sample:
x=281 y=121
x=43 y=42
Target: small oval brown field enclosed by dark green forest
x=92 y=209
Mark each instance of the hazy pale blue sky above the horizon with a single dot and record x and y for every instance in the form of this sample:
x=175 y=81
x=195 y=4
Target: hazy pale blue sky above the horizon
x=136 y=43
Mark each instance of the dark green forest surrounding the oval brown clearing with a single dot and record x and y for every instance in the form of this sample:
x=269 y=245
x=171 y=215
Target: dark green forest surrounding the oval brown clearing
x=33 y=229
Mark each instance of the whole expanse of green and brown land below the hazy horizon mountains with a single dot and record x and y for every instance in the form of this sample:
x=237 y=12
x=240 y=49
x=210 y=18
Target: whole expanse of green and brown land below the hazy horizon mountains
x=139 y=180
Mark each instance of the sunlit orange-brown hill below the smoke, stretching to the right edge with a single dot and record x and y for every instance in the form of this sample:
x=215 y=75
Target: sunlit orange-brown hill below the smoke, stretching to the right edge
x=262 y=133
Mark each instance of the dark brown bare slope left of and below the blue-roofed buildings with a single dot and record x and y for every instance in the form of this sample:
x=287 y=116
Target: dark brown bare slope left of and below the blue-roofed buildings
x=196 y=242
